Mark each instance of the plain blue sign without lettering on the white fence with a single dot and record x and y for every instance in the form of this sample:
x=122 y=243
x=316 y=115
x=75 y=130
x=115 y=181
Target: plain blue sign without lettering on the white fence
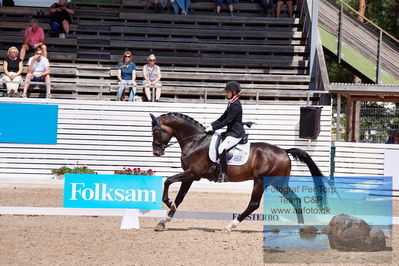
x=28 y=123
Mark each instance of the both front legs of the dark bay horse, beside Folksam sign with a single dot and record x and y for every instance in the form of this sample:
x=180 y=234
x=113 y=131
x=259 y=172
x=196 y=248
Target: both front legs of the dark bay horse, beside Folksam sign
x=187 y=179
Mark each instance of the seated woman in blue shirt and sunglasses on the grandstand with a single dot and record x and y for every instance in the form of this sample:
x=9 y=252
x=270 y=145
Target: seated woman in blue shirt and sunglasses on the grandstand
x=126 y=76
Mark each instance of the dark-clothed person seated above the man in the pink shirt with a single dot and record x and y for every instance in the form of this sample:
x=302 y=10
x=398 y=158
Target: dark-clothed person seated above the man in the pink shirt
x=61 y=15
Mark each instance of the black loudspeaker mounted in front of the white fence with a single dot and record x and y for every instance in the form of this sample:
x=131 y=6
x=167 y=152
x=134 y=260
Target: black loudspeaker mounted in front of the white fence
x=309 y=123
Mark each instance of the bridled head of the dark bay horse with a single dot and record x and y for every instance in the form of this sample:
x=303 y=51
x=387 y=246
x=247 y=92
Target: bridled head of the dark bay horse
x=160 y=137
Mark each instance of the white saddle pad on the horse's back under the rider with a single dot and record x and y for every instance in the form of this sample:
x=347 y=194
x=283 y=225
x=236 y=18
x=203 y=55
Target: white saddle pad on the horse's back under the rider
x=237 y=155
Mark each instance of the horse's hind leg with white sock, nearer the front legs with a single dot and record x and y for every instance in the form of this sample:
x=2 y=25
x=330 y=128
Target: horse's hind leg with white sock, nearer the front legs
x=257 y=193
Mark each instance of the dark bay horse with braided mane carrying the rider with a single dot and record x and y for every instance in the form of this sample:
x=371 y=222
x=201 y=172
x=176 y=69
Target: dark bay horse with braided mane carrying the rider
x=265 y=160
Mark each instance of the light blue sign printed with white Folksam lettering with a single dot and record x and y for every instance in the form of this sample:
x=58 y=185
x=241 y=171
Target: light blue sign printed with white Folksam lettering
x=113 y=191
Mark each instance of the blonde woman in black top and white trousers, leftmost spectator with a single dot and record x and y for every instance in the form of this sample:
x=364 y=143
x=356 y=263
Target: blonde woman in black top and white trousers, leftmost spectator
x=12 y=66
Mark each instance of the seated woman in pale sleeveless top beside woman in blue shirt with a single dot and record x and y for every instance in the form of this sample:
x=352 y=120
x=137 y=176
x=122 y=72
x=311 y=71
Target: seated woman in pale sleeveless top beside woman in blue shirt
x=152 y=77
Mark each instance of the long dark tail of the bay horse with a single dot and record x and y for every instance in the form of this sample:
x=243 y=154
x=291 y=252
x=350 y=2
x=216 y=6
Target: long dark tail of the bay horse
x=317 y=175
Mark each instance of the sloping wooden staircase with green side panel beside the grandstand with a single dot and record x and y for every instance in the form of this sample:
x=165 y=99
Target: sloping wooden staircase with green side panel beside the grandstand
x=363 y=46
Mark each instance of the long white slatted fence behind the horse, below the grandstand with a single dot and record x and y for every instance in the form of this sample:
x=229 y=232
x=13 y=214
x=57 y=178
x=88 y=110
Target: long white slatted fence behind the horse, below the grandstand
x=108 y=136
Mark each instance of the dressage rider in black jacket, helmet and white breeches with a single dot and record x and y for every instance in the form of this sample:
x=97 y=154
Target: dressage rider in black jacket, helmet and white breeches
x=232 y=118
